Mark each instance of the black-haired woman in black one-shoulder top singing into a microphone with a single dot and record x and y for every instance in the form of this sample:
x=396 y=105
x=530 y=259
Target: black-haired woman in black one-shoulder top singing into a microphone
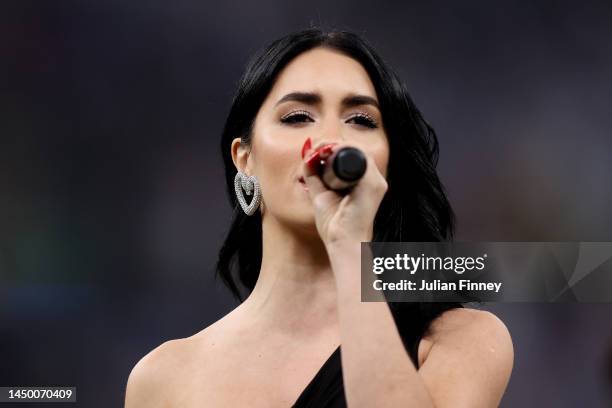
x=302 y=337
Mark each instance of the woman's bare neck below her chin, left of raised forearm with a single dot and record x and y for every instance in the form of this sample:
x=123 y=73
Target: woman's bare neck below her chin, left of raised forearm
x=295 y=292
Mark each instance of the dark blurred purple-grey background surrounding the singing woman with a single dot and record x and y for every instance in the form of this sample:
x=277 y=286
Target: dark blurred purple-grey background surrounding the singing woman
x=112 y=200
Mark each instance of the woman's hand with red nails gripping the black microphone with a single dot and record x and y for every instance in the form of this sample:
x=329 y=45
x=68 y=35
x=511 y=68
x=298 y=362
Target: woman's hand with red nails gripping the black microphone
x=345 y=217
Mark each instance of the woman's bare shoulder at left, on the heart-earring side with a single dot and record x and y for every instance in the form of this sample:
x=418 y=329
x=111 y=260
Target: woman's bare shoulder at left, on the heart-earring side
x=150 y=381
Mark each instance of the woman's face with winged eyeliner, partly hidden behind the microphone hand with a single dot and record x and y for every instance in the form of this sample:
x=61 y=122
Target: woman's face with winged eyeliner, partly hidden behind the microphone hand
x=338 y=103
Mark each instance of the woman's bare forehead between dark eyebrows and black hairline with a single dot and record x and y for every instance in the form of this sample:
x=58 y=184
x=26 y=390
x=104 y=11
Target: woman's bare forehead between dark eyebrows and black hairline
x=323 y=70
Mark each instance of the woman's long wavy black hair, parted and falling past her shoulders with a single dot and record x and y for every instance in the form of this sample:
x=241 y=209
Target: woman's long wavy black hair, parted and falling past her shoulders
x=415 y=207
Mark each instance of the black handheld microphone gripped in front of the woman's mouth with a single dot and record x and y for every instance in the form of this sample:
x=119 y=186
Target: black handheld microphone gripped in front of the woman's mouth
x=343 y=169
